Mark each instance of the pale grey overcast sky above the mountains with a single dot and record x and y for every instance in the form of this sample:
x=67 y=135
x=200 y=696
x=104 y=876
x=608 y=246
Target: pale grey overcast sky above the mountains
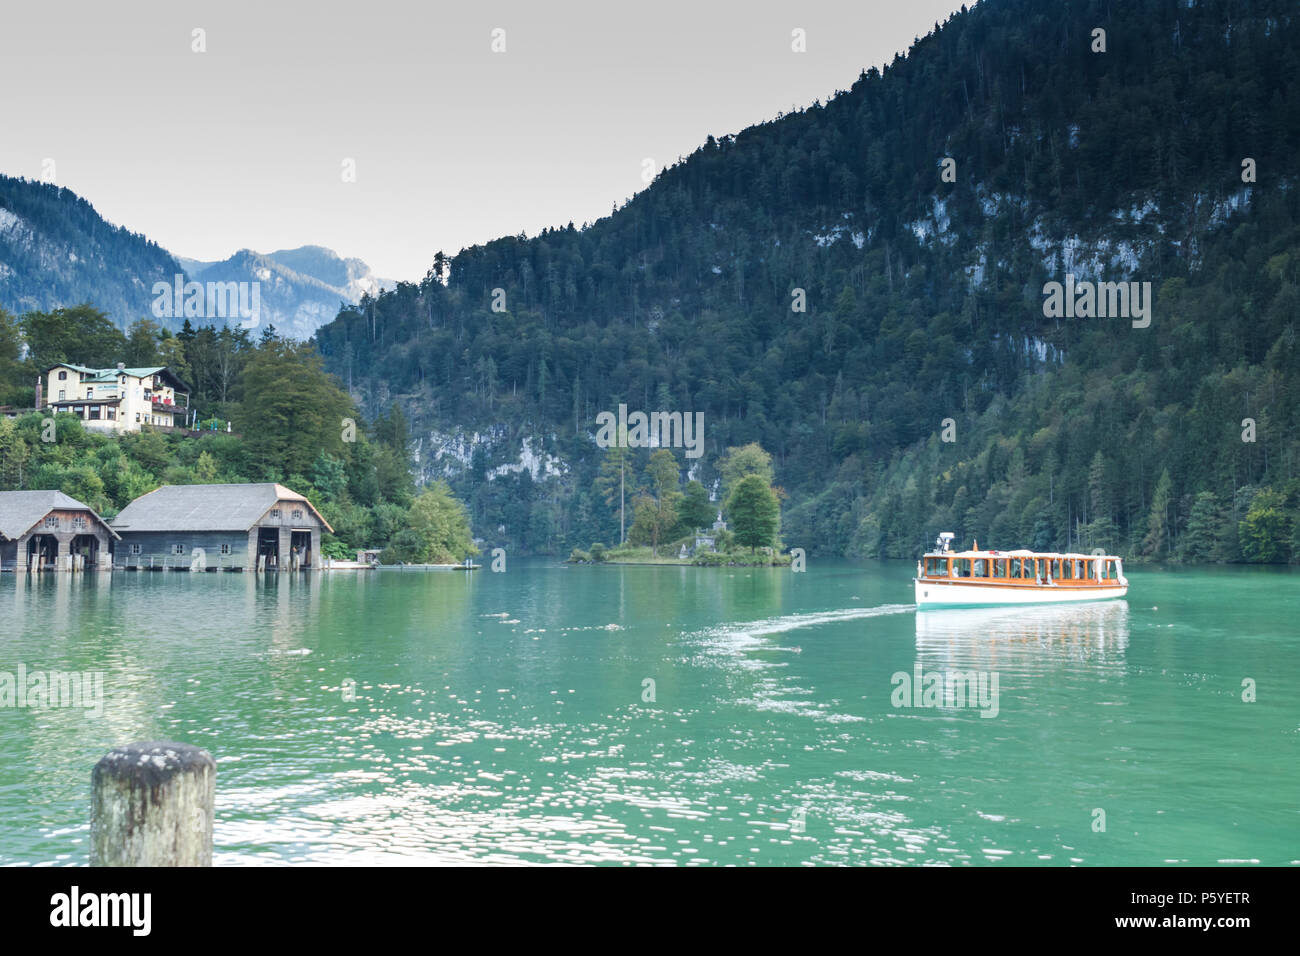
x=242 y=146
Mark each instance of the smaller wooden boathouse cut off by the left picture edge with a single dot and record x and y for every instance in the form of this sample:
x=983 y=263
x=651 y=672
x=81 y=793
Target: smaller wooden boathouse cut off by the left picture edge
x=50 y=531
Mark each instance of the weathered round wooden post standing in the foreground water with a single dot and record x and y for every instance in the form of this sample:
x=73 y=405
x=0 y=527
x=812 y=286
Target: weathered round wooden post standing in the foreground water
x=151 y=806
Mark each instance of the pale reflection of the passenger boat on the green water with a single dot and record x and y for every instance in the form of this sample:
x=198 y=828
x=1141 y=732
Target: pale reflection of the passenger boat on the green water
x=1029 y=638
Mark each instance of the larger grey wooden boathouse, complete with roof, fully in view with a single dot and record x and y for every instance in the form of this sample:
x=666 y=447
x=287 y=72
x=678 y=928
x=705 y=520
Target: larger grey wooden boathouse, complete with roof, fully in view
x=248 y=527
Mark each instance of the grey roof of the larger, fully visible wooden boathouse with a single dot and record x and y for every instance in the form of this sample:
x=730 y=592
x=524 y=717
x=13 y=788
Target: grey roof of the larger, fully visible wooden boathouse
x=207 y=508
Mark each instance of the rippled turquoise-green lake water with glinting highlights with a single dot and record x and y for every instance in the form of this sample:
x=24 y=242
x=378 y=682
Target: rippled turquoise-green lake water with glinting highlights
x=508 y=717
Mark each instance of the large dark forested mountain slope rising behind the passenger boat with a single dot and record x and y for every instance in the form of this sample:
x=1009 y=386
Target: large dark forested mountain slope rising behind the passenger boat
x=925 y=301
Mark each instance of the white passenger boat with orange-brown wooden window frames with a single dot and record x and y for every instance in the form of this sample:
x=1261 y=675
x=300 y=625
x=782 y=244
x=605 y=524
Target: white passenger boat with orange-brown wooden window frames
x=982 y=578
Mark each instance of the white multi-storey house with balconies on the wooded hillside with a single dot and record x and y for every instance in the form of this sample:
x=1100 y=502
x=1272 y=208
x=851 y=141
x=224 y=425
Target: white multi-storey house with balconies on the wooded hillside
x=116 y=400
